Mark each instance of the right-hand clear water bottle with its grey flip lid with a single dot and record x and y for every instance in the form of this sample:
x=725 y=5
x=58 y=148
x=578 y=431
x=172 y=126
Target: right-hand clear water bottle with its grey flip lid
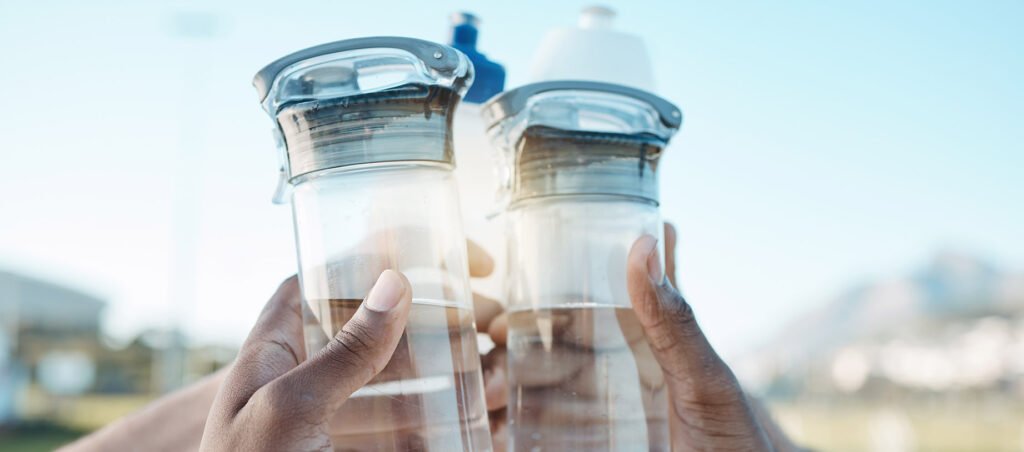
x=581 y=161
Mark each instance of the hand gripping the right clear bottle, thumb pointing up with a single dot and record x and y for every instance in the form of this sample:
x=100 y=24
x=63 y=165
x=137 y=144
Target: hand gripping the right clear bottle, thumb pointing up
x=708 y=407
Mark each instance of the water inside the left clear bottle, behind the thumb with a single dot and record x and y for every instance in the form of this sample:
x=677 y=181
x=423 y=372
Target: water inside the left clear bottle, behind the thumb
x=429 y=398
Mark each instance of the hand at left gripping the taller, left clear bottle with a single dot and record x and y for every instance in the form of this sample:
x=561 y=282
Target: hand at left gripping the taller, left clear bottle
x=272 y=400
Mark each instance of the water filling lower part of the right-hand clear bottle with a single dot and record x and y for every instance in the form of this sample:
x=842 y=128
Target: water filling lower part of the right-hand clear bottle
x=584 y=379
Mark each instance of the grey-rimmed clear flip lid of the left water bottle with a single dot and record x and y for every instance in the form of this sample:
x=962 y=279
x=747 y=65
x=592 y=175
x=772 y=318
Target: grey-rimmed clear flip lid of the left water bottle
x=364 y=101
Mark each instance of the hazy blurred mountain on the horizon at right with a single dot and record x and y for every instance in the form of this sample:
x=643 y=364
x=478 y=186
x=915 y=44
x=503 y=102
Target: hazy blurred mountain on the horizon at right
x=953 y=290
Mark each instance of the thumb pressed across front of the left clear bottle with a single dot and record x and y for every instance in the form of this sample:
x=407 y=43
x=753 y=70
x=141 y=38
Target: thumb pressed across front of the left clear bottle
x=356 y=355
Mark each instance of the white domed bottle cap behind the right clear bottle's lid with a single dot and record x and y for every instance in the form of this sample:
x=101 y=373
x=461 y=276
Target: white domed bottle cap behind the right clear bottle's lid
x=594 y=52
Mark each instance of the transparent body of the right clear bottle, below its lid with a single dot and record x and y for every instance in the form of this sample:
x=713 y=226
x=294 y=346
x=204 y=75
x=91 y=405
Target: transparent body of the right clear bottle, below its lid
x=582 y=376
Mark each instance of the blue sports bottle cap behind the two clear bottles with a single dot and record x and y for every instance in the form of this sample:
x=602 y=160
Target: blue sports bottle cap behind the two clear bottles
x=490 y=78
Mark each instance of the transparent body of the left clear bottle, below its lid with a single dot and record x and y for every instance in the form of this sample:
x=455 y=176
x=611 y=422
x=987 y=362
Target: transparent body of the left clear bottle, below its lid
x=352 y=224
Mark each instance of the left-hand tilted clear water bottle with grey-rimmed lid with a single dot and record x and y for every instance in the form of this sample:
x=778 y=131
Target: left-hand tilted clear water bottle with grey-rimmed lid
x=365 y=133
